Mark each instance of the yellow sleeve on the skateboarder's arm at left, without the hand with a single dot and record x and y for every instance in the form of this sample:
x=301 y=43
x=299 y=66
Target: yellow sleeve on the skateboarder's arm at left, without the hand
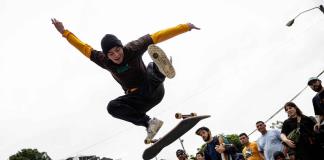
x=84 y=48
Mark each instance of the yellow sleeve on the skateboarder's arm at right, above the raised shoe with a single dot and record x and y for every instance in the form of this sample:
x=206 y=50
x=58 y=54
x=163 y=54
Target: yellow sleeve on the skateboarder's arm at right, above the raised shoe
x=168 y=33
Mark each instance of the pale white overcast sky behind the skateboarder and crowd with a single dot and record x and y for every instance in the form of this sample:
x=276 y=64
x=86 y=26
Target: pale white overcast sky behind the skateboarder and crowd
x=241 y=67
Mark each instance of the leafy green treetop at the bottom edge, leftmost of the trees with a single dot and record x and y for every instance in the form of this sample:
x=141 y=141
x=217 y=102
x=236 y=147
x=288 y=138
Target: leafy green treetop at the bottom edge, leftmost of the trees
x=30 y=154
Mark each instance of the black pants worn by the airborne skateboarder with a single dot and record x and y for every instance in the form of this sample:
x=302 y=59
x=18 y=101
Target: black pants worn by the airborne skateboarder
x=132 y=107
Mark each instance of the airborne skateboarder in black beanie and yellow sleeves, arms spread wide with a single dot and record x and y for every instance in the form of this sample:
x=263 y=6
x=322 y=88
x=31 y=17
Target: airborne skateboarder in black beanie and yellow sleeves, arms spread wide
x=143 y=86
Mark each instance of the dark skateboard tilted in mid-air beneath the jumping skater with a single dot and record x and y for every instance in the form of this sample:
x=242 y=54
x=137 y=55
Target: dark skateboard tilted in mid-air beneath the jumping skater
x=187 y=122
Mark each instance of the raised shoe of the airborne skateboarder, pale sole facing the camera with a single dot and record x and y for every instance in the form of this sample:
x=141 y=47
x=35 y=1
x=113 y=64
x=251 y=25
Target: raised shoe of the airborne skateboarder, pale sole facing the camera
x=161 y=60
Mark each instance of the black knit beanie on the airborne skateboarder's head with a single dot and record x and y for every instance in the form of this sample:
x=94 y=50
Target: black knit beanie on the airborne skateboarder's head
x=108 y=42
